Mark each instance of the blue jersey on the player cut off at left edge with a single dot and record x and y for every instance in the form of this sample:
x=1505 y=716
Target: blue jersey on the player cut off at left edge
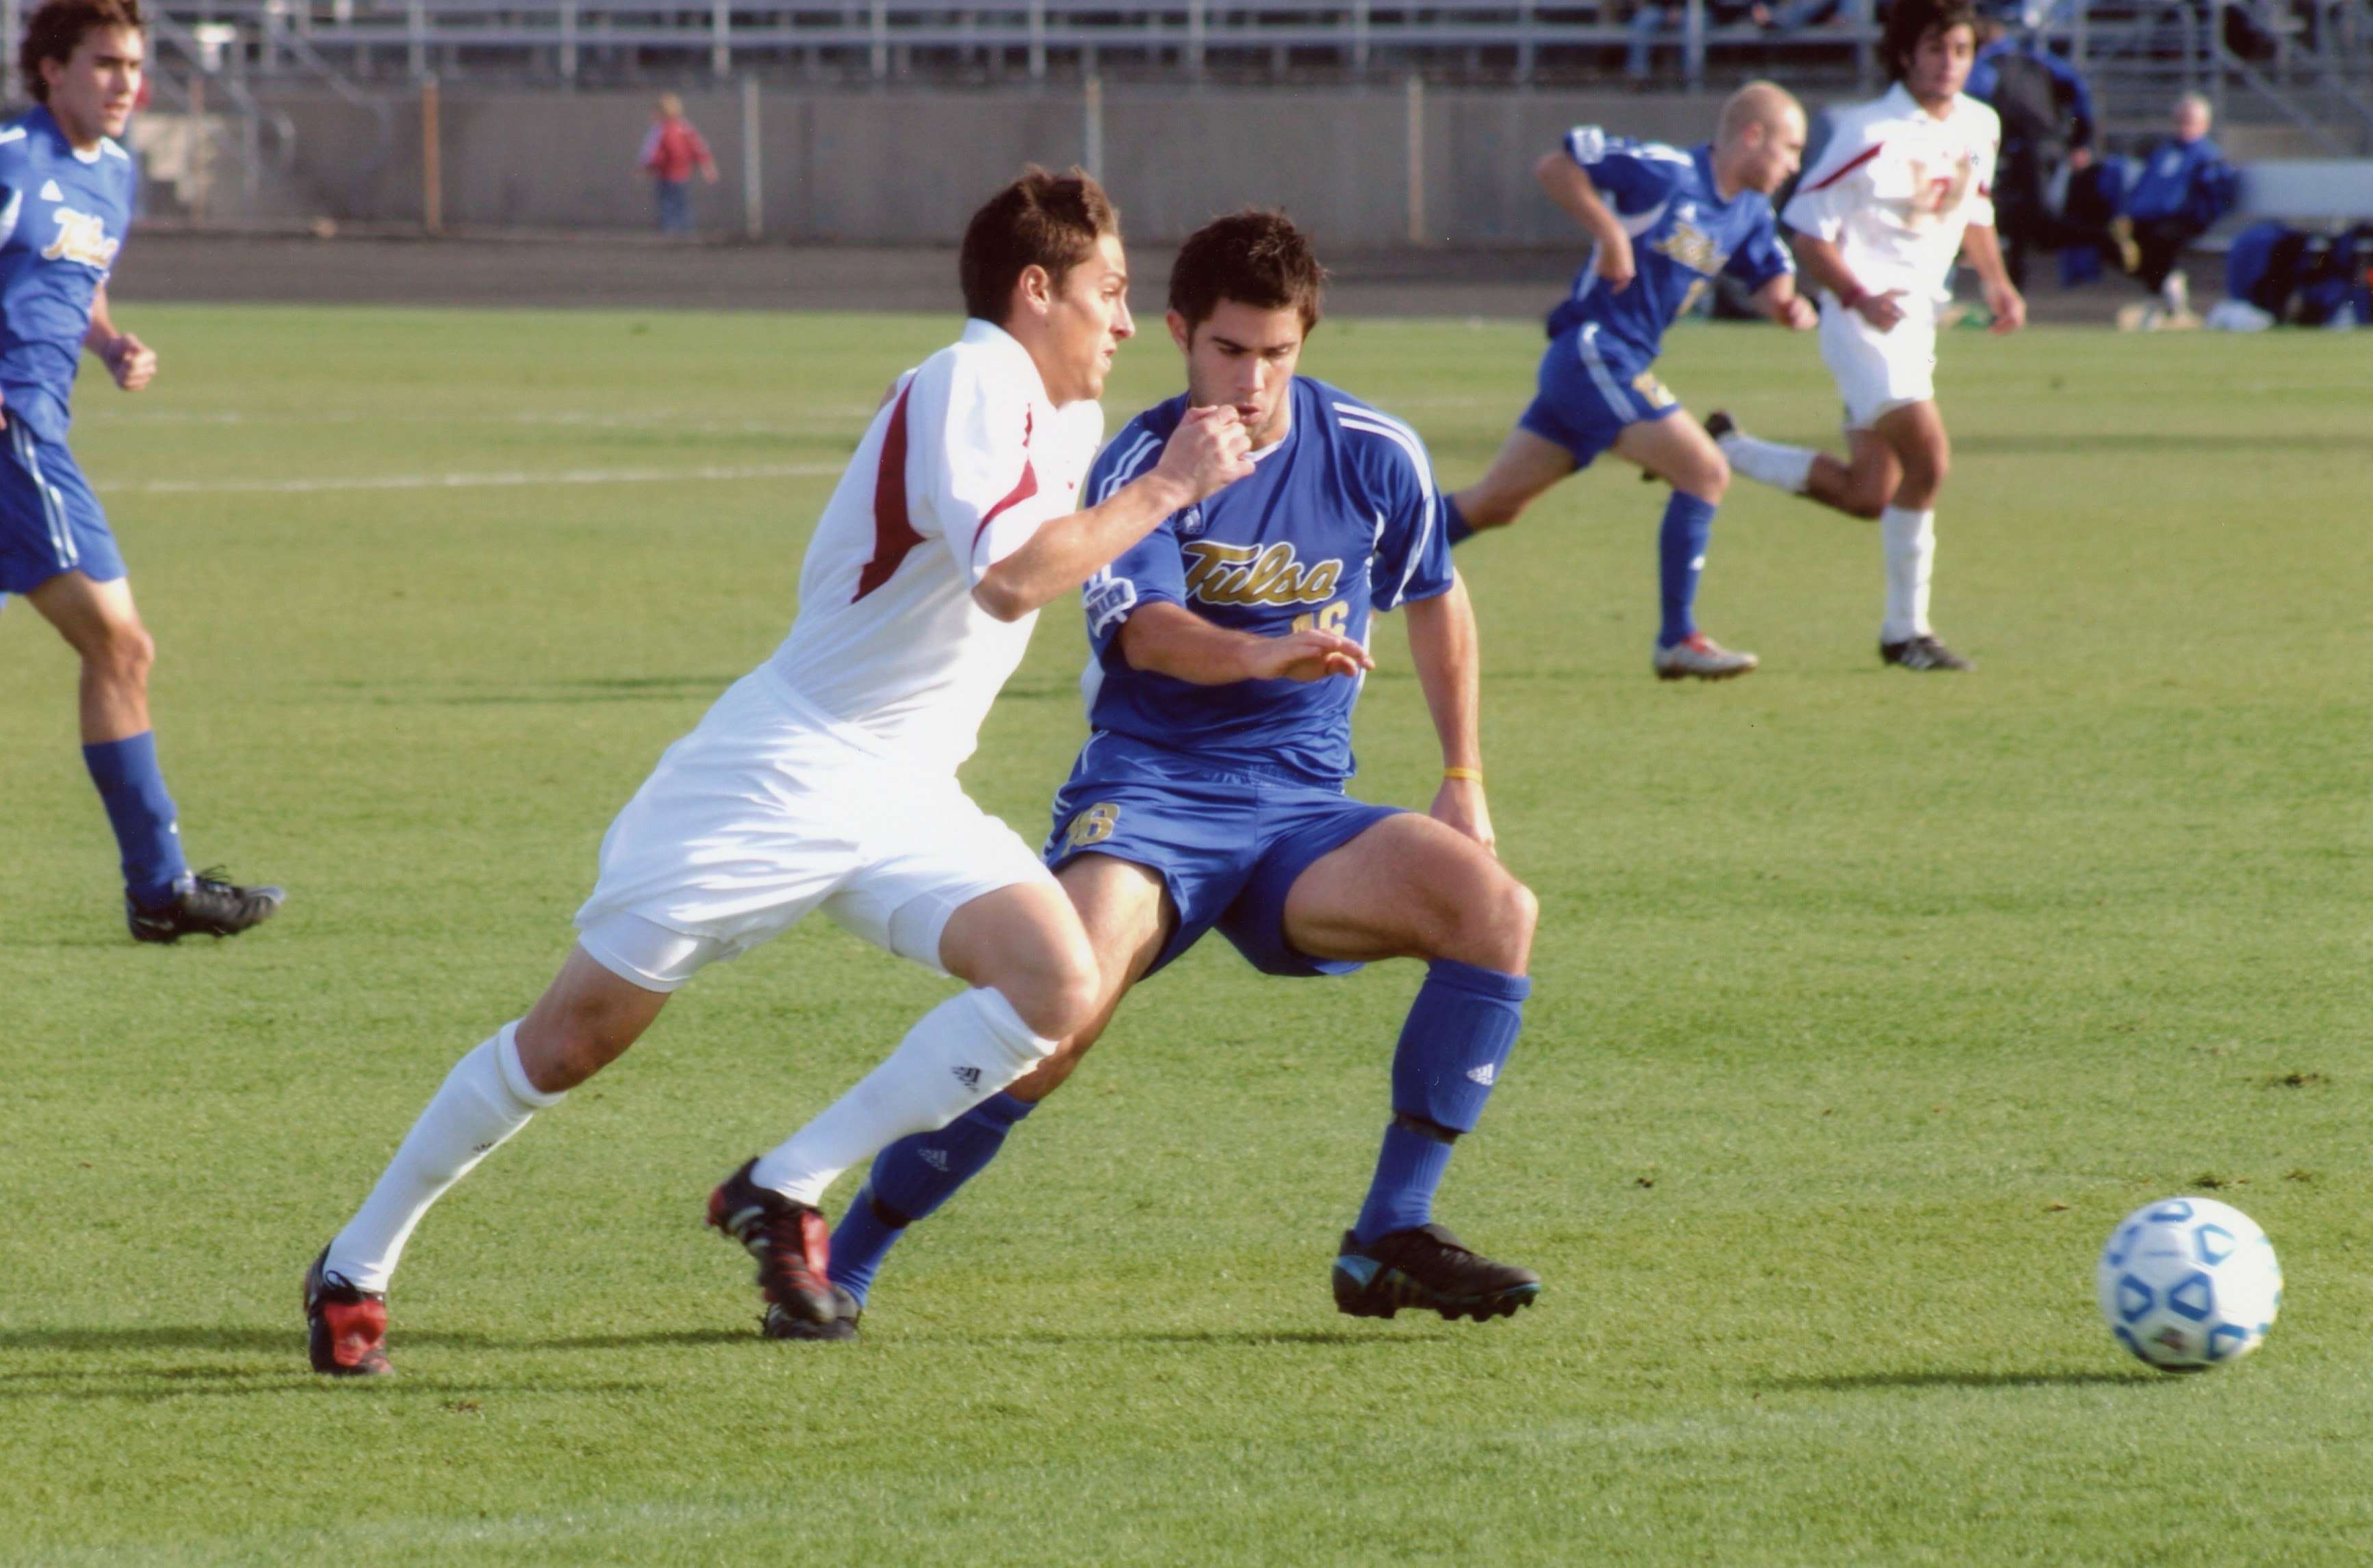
x=63 y=219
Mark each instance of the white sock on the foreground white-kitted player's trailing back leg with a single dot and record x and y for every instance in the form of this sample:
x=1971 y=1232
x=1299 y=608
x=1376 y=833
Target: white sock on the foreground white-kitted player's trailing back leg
x=483 y=1102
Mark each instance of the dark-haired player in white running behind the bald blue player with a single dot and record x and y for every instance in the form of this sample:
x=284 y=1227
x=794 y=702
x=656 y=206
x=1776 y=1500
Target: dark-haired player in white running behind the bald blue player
x=1904 y=186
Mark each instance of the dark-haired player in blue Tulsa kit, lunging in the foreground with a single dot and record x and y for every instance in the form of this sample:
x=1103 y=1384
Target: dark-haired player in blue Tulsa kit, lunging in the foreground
x=1228 y=656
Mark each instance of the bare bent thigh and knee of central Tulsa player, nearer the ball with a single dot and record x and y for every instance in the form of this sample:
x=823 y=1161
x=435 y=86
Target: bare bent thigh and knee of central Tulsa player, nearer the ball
x=1413 y=888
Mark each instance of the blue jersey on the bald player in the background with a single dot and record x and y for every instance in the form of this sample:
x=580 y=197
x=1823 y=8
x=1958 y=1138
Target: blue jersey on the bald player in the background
x=1684 y=236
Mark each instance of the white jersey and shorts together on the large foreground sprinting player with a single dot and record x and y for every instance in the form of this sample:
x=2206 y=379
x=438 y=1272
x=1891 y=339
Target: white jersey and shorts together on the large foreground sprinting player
x=827 y=779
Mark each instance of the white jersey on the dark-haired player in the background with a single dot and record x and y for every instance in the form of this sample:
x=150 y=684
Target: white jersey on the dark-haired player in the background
x=1897 y=186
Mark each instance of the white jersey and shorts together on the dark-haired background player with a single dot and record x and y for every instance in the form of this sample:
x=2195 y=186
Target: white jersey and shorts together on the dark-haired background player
x=1895 y=191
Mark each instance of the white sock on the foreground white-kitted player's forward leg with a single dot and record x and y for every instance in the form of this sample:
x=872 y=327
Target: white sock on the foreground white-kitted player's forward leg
x=960 y=1054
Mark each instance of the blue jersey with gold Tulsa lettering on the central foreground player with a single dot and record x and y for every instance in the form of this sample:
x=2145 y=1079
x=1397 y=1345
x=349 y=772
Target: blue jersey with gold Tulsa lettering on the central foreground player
x=1332 y=523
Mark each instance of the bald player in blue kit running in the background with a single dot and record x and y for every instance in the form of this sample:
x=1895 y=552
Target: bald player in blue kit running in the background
x=1665 y=224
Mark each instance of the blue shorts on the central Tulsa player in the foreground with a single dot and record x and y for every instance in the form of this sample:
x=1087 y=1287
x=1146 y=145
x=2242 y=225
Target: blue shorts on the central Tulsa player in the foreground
x=1228 y=843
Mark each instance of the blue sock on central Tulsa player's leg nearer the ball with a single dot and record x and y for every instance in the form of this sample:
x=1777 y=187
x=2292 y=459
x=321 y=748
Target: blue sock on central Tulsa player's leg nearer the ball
x=1451 y=1052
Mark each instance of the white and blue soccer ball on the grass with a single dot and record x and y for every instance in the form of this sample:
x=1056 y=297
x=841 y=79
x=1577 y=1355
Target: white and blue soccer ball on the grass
x=2189 y=1285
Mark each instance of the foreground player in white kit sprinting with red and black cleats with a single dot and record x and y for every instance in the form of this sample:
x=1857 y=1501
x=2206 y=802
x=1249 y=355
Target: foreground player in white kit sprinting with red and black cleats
x=827 y=779
